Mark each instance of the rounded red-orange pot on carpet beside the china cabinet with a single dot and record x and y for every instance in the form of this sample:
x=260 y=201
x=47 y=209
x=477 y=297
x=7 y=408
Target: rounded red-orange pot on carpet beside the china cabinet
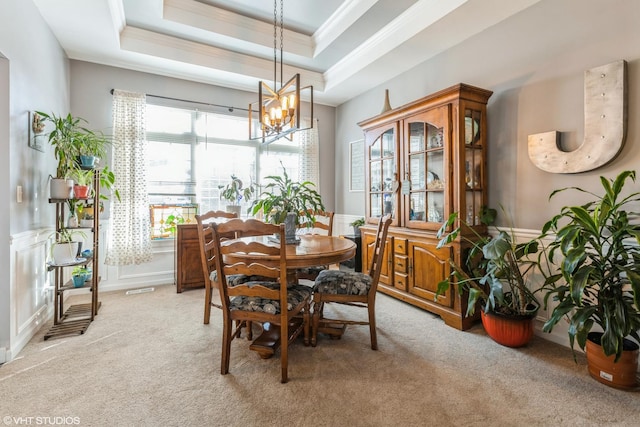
x=510 y=331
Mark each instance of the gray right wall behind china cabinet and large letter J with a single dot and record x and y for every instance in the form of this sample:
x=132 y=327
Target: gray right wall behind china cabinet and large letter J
x=534 y=63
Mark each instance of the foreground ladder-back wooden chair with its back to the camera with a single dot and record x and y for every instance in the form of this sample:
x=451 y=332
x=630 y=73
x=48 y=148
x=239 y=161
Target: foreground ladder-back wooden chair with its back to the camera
x=273 y=302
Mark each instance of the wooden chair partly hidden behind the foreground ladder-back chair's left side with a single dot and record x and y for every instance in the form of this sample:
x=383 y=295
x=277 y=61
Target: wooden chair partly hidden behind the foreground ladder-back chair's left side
x=205 y=237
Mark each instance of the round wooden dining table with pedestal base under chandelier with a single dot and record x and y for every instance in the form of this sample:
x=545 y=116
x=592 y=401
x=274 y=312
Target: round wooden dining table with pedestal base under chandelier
x=309 y=251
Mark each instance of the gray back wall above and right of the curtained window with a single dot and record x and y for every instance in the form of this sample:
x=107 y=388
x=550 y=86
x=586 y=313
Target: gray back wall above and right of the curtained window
x=91 y=99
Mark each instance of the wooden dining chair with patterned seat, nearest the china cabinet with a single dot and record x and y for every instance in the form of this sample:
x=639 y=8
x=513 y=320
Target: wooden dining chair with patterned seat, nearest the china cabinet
x=351 y=288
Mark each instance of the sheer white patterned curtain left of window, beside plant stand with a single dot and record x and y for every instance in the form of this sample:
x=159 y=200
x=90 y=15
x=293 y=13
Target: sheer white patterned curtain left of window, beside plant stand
x=129 y=239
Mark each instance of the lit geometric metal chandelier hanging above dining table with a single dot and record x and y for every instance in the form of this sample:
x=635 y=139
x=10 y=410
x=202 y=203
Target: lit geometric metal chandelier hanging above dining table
x=277 y=113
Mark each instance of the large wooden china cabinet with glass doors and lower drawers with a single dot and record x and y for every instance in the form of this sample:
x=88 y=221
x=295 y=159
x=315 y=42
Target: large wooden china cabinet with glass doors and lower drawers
x=426 y=160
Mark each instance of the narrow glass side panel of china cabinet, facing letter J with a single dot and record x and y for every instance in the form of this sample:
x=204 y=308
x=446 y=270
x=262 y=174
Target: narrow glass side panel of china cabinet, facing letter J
x=473 y=166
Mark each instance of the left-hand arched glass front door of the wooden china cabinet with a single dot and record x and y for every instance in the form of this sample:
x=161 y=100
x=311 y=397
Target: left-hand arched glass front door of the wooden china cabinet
x=383 y=182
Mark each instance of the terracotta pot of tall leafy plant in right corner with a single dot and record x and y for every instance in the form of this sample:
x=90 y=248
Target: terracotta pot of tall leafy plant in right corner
x=621 y=374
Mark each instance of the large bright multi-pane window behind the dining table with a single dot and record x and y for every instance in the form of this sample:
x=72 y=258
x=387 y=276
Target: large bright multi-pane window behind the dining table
x=192 y=152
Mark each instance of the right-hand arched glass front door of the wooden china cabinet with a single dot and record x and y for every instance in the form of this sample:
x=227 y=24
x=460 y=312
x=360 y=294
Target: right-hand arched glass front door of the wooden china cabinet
x=425 y=172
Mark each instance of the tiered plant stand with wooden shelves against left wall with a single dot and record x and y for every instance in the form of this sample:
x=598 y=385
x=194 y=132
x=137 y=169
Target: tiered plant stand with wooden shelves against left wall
x=75 y=319
